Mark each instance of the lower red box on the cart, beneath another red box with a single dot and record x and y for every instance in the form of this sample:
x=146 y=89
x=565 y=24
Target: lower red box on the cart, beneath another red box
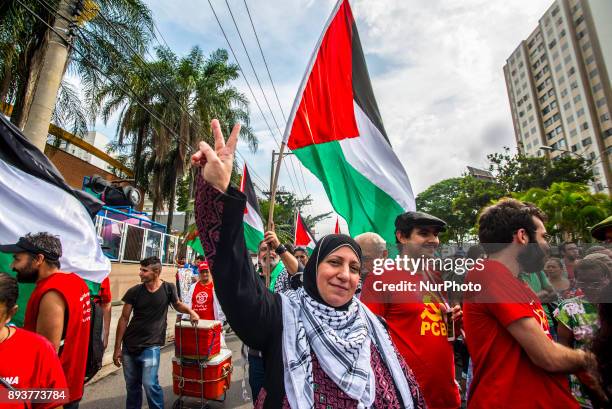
x=203 y=379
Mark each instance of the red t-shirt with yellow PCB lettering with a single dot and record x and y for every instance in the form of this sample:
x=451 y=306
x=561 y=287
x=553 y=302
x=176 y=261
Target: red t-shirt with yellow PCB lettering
x=419 y=333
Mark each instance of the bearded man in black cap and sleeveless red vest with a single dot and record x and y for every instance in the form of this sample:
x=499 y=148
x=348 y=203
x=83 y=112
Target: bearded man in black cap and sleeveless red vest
x=58 y=308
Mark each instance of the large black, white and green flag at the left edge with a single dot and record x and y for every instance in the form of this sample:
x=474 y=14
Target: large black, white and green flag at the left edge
x=34 y=198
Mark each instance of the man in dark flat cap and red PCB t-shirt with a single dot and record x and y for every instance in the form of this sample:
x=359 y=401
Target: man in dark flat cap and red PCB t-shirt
x=416 y=319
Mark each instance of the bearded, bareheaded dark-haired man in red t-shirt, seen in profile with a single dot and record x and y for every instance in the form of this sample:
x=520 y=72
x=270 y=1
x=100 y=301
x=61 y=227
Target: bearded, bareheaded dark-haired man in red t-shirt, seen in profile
x=516 y=362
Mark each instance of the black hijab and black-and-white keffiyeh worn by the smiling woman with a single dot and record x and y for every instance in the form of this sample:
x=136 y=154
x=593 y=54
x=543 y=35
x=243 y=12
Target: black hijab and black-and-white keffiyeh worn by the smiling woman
x=339 y=337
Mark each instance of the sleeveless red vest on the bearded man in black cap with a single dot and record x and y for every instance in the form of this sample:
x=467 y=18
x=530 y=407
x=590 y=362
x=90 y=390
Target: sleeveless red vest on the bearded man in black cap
x=73 y=354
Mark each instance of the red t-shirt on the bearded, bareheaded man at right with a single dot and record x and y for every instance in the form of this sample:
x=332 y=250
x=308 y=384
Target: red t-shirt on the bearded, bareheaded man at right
x=504 y=376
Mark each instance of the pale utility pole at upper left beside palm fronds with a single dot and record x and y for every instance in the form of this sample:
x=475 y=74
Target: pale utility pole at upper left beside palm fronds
x=36 y=127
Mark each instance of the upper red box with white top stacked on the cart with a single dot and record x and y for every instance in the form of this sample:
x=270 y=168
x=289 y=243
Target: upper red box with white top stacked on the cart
x=198 y=342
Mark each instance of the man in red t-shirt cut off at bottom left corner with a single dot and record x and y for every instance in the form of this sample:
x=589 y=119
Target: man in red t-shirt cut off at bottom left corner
x=28 y=360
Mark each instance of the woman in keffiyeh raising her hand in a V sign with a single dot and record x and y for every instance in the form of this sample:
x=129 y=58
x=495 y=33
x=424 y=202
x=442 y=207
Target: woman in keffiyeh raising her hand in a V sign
x=322 y=347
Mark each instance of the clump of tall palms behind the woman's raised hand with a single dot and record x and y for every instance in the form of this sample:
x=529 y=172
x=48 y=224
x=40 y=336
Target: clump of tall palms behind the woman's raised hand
x=185 y=94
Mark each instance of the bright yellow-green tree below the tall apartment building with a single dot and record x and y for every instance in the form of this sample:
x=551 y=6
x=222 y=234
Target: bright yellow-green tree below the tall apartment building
x=571 y=209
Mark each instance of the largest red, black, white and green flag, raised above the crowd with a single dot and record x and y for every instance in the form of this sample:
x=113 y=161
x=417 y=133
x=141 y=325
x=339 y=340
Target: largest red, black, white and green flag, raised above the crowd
x=336 y=131
